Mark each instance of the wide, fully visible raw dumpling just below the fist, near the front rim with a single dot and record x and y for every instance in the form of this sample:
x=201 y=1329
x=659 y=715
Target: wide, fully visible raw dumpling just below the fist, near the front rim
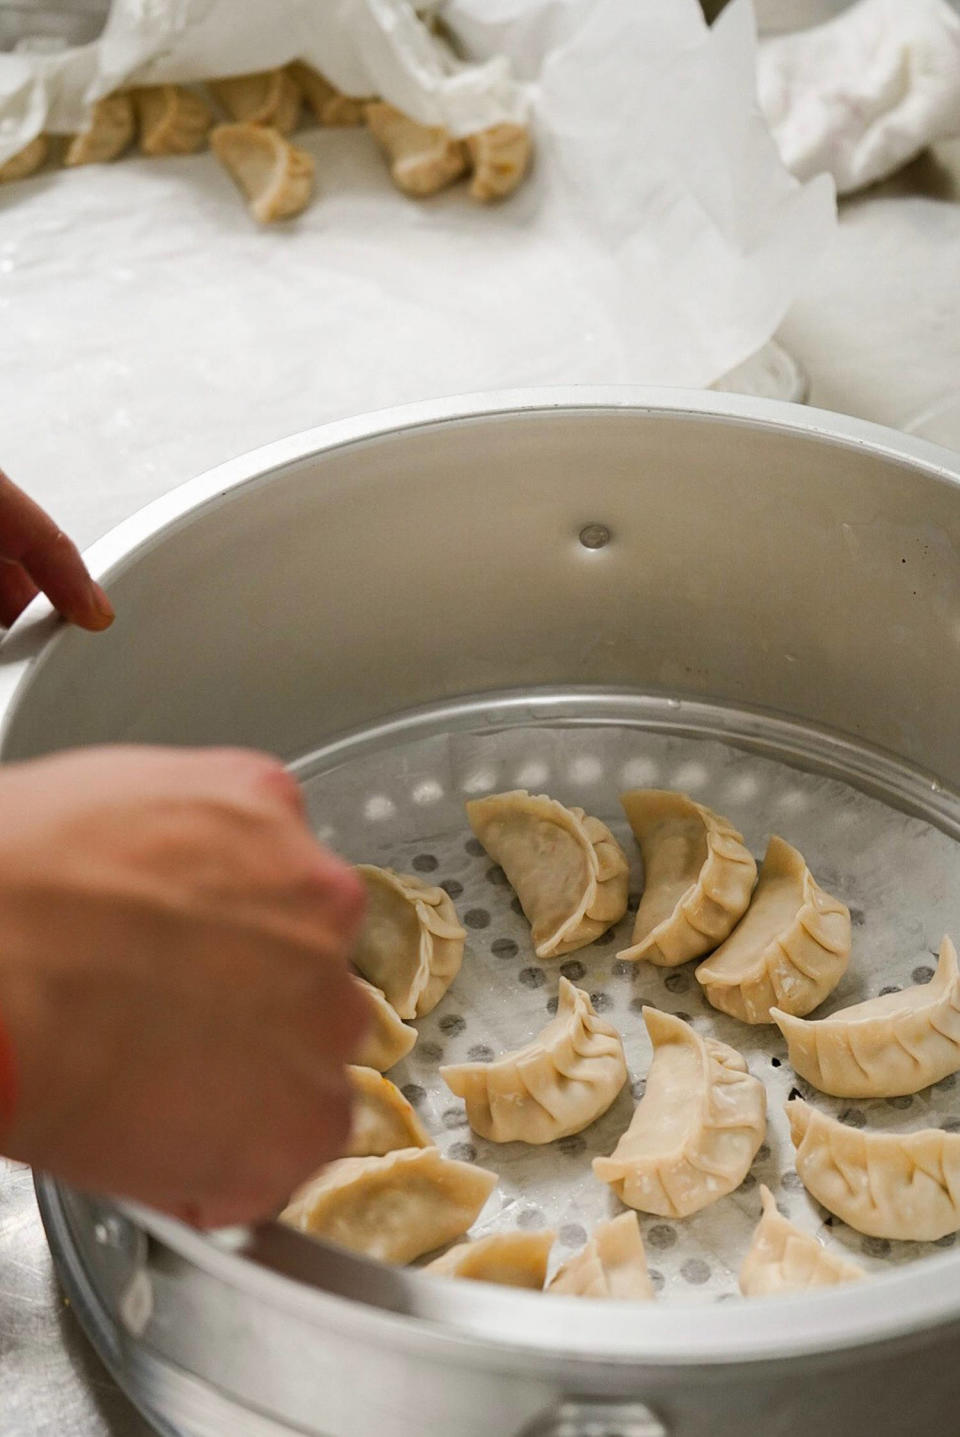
x=396 y=1208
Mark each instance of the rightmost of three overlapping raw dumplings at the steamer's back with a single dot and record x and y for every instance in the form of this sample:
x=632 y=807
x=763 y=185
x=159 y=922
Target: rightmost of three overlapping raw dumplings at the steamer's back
x=790 y=952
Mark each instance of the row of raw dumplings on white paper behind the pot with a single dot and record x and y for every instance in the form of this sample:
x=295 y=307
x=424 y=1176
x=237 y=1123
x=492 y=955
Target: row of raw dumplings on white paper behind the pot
x=267 y=108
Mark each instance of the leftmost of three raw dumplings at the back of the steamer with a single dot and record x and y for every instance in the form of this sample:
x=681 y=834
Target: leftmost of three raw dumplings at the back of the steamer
x=568 y=870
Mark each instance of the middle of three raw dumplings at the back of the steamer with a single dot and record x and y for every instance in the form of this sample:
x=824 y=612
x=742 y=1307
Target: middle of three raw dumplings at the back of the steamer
x=698 y=877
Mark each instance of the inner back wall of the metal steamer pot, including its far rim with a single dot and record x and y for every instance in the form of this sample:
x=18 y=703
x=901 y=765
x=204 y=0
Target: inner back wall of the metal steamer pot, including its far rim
x=774 y=639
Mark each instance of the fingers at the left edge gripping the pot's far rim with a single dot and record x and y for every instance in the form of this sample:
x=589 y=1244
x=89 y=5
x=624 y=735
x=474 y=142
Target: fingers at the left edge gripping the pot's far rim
x=37 y=557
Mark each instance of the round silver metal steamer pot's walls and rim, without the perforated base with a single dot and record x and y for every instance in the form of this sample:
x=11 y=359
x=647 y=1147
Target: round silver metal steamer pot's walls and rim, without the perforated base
x=712 y=554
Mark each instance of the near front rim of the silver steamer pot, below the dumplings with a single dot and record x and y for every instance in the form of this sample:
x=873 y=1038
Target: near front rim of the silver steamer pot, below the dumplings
x=511 y=1327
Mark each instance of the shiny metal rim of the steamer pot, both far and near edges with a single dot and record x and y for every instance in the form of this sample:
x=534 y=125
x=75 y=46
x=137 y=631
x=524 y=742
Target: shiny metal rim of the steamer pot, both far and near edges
x=564 y=1330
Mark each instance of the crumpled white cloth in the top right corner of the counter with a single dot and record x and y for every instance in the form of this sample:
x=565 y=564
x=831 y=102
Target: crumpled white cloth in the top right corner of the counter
x=862 y=96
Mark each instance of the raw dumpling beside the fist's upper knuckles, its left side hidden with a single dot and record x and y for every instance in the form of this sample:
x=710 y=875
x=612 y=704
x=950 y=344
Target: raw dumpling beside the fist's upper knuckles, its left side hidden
x=412 y=946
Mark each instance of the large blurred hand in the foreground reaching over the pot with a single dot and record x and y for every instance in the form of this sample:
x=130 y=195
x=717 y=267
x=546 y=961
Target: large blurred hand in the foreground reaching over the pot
x=175 y=978
